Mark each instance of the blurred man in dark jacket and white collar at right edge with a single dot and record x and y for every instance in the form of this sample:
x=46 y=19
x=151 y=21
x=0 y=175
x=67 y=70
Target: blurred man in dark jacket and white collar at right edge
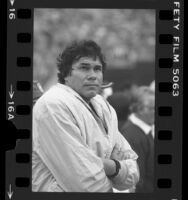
x=138 y=132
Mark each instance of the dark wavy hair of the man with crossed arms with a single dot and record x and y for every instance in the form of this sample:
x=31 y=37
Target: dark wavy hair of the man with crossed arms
x=73 y=52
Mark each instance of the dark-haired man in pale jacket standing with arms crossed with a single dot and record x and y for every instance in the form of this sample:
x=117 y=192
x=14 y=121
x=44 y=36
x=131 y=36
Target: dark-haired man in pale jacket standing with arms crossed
x=76 y=143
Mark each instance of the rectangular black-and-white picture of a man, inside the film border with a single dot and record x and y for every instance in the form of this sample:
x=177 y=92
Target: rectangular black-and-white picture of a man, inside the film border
x=93 y=114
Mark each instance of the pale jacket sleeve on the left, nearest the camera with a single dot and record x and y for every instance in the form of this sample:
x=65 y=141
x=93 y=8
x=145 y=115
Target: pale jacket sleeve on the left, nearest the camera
x=61 y=147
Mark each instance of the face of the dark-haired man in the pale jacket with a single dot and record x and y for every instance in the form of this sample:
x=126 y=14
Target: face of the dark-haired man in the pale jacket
x=86 y=77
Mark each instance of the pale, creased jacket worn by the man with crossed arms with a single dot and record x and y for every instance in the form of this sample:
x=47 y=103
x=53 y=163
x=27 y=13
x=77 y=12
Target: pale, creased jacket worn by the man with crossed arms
x=69 y=140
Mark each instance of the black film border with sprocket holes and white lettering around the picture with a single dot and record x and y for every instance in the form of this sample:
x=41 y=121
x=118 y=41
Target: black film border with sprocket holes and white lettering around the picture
x=169 y=98
